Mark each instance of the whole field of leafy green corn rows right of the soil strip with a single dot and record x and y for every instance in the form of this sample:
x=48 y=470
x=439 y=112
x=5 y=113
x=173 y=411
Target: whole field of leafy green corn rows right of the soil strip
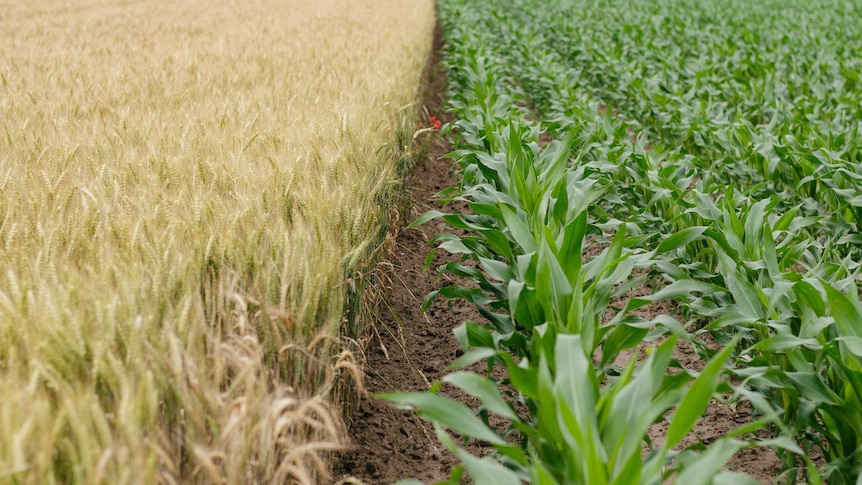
x=614 y=155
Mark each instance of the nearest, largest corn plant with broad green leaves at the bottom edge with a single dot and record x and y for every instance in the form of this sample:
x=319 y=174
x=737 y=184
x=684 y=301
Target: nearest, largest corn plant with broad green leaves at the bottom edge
x=579 y=429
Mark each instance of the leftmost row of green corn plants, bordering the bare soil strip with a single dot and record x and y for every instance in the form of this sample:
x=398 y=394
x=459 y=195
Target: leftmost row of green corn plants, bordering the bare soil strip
x=530 y=224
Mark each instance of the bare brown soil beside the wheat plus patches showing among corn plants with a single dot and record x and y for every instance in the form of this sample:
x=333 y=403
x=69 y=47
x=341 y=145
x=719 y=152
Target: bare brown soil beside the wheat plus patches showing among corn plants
x=411 y=350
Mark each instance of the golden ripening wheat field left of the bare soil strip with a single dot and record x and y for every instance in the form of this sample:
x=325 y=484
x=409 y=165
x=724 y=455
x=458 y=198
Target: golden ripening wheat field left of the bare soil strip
x=189 y=194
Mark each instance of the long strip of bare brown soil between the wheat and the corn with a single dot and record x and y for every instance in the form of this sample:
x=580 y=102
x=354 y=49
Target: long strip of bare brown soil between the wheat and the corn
x=412 y=349
